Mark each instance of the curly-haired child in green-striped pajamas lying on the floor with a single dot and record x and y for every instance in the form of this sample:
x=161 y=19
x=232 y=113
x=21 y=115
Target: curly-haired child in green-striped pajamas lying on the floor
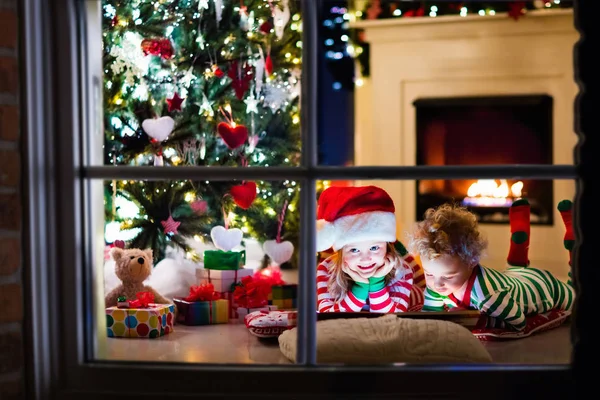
x=450 y=246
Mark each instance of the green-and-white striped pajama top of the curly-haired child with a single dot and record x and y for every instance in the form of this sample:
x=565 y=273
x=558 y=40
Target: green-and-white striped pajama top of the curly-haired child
x=510 y=295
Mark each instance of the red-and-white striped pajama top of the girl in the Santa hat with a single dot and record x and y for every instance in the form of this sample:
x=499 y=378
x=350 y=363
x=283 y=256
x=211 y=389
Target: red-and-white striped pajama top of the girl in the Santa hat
x=399 y=295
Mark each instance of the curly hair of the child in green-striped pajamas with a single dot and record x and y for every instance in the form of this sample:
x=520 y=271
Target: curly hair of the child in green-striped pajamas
x=448 y=230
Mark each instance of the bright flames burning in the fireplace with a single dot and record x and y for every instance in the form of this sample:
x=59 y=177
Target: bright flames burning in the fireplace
x=487 y=193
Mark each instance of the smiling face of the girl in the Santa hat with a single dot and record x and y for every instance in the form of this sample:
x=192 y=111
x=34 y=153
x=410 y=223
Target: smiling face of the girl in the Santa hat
x=364 y=258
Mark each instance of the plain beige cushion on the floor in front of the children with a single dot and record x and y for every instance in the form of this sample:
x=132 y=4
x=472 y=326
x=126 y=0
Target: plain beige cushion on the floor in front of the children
x=389 y=339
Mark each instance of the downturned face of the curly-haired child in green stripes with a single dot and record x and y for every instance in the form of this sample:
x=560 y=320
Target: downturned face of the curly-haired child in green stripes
x=445 y=275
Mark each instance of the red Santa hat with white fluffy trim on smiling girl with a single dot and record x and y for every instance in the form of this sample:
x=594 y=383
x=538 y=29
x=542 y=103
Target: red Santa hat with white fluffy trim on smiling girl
x=353 y=214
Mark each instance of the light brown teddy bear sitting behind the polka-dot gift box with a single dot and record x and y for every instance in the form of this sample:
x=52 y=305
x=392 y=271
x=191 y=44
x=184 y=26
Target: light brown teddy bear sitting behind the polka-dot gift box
x=132 y=267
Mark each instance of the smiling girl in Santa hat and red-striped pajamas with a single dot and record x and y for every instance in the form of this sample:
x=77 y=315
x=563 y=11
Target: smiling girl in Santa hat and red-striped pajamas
x=368 y=269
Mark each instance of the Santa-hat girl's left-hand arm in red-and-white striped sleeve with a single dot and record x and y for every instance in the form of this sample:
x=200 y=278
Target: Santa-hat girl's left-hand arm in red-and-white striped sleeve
x=354 y=300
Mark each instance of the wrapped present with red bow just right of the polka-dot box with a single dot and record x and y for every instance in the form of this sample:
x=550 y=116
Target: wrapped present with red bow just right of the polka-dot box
x=203 y=306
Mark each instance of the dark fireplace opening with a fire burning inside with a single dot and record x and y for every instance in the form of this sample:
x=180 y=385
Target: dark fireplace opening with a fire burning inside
x=486 y=131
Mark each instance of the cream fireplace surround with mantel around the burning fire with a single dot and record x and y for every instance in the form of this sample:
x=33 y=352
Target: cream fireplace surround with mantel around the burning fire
x=420 y=60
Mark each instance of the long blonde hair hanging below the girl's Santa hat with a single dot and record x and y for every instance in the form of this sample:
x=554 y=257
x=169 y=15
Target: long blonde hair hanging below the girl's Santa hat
x=339 y=281
